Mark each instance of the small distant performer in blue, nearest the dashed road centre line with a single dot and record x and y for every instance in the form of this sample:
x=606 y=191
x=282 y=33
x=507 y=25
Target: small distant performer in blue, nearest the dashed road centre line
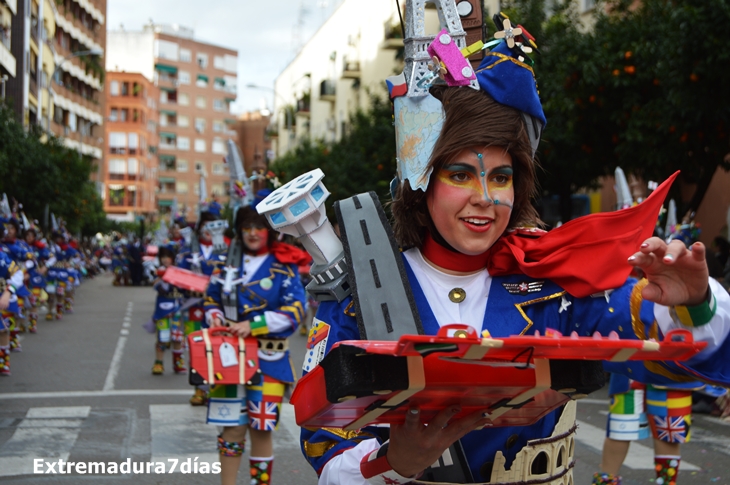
x=167 y=318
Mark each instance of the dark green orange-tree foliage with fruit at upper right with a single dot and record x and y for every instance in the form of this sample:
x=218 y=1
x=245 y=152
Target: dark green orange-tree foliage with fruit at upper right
x=644 y=89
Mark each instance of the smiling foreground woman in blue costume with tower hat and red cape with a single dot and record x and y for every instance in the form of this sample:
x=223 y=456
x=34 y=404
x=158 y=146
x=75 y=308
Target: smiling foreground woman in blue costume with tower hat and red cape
x=466 y=176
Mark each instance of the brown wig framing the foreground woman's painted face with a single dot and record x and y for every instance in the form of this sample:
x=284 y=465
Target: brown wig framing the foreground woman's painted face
x=472 y=119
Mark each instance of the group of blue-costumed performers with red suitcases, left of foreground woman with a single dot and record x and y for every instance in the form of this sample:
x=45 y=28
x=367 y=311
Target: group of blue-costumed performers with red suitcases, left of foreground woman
x=270 y=305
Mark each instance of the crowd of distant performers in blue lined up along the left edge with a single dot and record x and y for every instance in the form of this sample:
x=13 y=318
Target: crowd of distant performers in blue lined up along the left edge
x=38 y=276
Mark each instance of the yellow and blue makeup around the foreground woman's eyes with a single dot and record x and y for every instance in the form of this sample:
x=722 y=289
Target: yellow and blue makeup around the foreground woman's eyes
x=494 y=185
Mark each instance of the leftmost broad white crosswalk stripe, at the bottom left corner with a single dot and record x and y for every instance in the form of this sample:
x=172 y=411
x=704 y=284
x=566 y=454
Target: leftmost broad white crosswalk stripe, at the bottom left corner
x=37 y=436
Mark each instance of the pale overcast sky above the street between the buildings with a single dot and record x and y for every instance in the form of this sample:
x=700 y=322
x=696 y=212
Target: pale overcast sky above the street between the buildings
x=264 y=32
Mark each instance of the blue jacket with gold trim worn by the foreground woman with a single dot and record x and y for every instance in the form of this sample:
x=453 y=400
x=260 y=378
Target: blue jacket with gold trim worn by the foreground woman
x=508 y=314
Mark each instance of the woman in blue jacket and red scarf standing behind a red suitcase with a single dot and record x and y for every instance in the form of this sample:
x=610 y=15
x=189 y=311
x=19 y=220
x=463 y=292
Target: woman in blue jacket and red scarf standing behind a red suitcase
x=270 y=304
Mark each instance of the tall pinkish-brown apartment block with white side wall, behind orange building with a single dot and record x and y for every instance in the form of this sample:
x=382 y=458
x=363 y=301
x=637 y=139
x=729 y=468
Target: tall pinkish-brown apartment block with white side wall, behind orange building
x=197 y=84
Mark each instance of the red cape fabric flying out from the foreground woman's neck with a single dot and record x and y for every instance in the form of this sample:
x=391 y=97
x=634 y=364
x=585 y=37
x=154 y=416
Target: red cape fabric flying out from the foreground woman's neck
x=583 y=256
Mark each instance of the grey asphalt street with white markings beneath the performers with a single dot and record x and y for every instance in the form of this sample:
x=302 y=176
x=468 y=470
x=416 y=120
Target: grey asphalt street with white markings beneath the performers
x=82 y=391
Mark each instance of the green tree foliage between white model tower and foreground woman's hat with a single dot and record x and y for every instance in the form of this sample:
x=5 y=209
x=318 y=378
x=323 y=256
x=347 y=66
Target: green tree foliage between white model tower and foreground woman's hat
x=363 y=160
